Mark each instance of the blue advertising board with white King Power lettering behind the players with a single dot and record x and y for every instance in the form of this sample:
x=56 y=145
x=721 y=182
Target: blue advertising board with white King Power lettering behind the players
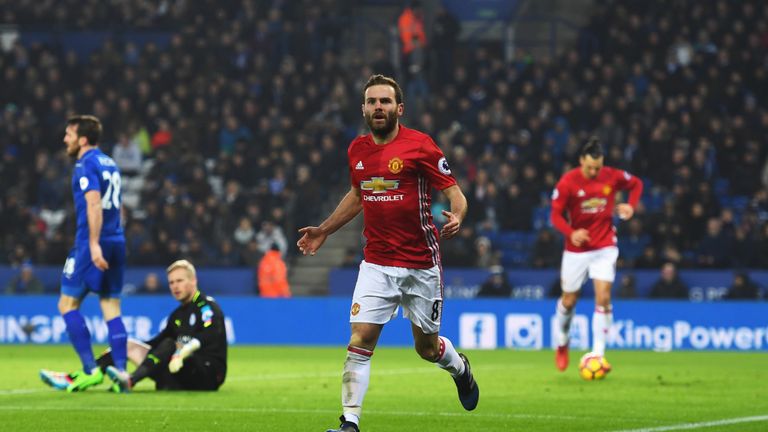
x=472 y=324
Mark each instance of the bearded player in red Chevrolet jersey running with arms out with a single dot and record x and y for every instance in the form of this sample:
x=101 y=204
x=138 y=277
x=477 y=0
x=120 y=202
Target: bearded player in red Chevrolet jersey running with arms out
x=393 y=171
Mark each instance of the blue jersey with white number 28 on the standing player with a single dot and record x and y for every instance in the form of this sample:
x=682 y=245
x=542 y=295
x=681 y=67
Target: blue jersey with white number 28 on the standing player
x=97 y=171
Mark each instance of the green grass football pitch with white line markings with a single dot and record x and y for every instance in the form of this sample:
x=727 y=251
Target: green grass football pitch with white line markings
x=298 y=389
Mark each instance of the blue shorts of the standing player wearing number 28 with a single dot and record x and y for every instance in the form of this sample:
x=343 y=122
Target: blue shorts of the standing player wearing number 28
x=80 y=275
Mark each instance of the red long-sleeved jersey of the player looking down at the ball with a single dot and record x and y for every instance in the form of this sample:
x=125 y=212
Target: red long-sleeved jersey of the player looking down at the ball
x=590 y=204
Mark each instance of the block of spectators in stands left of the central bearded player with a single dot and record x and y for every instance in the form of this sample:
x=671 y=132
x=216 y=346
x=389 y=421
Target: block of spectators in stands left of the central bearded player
x=228 y=138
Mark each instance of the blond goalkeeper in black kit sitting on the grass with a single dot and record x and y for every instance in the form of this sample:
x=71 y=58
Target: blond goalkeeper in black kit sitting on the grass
x=189 y=354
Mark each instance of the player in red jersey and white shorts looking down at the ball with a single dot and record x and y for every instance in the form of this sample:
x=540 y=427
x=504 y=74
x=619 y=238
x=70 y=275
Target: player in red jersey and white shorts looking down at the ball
x=588 y=195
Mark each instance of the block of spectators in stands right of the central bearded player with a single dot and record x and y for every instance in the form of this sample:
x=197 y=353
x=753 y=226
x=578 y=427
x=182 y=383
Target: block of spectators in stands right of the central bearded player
x=676 y=93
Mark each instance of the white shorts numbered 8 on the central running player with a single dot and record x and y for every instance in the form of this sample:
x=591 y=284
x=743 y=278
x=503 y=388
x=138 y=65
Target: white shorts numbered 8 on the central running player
x=380 y=290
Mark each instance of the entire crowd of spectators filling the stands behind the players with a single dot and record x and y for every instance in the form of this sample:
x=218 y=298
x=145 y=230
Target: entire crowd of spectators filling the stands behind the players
x=234 y=133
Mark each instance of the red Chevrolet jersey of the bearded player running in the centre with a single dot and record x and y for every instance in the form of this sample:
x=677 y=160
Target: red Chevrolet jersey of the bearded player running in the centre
x=395 y=182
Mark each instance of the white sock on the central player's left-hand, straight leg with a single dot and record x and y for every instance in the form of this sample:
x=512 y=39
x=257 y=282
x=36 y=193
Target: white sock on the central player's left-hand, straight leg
x=357 y=373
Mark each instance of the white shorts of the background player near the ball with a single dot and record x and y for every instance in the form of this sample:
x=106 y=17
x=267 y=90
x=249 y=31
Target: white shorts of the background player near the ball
x=598 y=264
